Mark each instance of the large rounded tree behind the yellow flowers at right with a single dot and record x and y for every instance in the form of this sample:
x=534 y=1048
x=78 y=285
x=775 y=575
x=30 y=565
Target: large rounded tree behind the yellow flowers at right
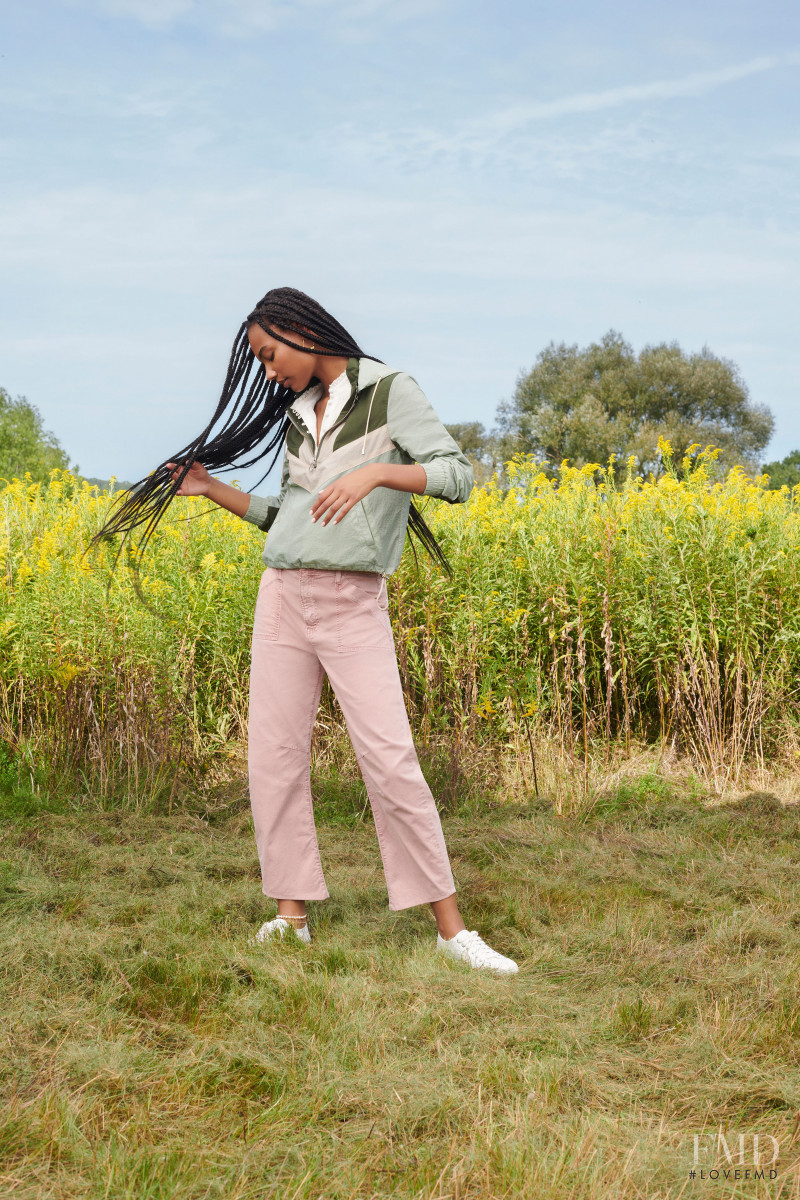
x=586 y=405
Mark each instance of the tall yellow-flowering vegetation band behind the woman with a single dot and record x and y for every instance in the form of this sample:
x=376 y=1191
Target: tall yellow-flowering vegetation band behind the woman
x=587 y=613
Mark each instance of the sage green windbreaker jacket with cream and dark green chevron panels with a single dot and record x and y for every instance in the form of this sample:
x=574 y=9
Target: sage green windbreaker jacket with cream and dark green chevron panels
x=387 y=419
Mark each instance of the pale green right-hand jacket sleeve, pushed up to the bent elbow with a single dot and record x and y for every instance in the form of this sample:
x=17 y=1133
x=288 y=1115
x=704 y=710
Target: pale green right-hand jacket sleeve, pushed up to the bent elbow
x=414 y=427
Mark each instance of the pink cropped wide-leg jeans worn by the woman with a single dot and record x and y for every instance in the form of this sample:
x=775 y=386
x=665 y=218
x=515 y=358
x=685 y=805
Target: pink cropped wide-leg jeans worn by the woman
x=311 y=623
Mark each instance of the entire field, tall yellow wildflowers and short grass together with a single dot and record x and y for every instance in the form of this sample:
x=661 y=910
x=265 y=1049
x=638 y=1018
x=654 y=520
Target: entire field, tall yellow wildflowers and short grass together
x=605 y=697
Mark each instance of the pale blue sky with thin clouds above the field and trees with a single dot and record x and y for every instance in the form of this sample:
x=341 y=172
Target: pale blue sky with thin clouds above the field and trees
x=460 y=183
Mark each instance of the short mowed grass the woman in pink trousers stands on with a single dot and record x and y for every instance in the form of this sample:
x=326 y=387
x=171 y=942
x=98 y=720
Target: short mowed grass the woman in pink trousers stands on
x=152 y=1052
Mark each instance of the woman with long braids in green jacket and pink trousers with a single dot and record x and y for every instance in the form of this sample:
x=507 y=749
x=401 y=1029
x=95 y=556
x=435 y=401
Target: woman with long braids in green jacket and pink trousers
x=358 y=441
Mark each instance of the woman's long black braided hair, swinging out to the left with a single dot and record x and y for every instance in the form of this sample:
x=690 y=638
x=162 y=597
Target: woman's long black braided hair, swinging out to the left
x=250 y=419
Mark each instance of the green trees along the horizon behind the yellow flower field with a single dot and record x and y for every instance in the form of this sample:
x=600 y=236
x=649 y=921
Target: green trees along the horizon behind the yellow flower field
x=579 y=404
